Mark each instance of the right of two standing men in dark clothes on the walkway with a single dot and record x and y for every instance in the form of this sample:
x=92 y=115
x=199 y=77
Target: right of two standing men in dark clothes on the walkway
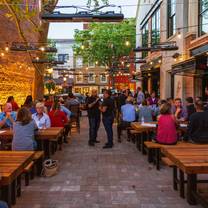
x=107 y=109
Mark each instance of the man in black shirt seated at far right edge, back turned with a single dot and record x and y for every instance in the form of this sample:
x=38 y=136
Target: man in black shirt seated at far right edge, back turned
x=198 y=125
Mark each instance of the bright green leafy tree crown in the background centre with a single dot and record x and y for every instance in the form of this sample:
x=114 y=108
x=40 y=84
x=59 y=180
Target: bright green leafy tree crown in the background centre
x=105 y=42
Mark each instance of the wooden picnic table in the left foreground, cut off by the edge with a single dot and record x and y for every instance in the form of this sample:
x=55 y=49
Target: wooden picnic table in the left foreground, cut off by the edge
x=12 y=164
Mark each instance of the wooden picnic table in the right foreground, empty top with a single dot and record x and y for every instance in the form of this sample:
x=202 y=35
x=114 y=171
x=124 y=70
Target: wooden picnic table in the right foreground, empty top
x=191 y=160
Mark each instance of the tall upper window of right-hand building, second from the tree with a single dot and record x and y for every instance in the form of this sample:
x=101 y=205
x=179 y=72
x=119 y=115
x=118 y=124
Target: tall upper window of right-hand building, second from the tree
x=155 y=27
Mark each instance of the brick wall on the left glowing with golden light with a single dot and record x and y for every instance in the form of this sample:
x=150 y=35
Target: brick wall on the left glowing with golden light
x=18 y=76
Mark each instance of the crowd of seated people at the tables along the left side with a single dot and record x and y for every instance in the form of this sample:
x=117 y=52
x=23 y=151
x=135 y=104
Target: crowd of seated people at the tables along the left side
x=34 y=115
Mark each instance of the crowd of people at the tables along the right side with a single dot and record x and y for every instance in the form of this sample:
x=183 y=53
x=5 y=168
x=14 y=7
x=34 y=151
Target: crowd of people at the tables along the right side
x=169 y=114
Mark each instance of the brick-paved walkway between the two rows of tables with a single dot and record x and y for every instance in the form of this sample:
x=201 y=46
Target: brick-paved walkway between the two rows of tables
x=96 y=178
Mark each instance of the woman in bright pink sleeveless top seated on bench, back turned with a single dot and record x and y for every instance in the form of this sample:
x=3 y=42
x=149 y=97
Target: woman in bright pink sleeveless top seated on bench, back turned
x=166 y=131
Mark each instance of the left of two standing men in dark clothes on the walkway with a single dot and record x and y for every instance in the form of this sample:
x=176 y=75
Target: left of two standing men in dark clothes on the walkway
x=93 y=116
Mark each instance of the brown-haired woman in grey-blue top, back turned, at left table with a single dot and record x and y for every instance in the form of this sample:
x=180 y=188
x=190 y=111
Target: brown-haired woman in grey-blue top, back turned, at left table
x=23 y=131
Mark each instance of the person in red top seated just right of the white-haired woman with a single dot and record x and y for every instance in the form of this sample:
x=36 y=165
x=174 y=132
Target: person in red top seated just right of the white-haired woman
x=58 y=118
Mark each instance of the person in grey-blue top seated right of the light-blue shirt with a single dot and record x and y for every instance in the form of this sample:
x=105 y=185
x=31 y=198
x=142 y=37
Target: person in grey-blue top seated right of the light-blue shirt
x=145 y=112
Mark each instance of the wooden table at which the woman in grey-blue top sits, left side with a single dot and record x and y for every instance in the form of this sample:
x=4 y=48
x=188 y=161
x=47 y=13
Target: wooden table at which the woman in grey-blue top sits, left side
x=44 y=138
